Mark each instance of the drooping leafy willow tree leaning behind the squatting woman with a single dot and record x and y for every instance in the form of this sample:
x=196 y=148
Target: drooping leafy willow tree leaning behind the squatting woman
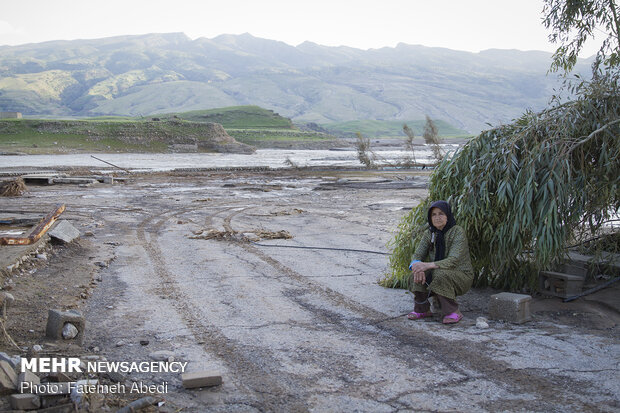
x=525 y=191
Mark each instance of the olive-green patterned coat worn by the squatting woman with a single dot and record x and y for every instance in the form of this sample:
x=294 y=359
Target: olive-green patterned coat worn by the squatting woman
x=455 y=273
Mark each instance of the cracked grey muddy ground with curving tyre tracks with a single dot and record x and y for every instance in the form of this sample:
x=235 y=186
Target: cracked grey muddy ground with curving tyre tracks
x=184 y=266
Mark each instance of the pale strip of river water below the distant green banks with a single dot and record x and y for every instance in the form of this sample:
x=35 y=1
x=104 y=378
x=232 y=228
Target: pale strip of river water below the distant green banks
x=273 y=158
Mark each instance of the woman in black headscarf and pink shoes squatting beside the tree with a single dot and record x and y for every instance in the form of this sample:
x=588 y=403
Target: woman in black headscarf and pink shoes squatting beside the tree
x=441 y=266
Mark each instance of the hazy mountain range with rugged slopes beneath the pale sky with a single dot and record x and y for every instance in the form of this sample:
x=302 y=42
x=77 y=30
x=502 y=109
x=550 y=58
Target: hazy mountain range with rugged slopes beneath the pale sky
x=158 y=73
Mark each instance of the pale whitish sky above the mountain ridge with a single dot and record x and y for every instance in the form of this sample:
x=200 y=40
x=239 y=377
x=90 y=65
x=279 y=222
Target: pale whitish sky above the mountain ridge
x=470 y=25
